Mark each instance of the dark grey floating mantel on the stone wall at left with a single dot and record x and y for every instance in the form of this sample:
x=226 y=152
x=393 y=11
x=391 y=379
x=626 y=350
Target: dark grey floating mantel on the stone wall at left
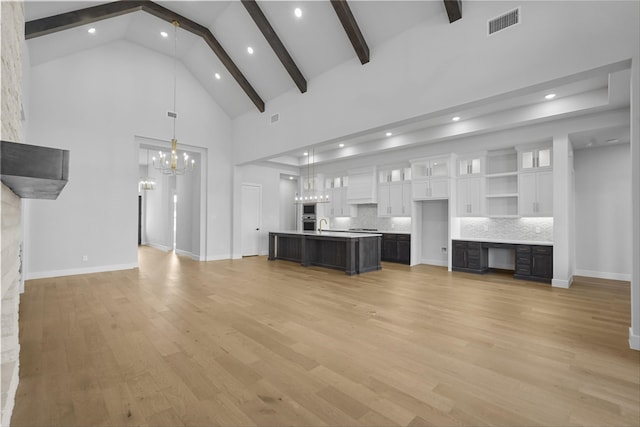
x=34 y=172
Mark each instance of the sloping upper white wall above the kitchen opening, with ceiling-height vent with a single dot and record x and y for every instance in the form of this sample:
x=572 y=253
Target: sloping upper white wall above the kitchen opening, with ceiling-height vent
x=415 y=74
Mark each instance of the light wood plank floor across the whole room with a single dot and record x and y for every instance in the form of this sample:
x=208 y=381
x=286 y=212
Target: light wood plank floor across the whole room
x=253 y=342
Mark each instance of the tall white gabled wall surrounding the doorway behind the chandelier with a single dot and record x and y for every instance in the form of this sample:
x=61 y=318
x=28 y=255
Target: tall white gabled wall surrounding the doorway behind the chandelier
x=95 y=103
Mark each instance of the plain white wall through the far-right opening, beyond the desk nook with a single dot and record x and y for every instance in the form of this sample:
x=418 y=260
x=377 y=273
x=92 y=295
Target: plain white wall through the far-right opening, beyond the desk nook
x=603 y=212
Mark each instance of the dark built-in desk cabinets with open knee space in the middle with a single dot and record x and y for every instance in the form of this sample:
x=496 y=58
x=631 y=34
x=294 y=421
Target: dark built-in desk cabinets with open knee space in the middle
x=532 y=261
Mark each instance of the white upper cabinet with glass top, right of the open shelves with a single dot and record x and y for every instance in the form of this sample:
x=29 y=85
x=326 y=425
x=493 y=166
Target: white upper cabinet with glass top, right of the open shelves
x=535 y=182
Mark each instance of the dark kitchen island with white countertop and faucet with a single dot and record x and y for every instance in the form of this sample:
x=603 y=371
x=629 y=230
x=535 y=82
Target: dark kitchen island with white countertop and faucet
x=354 y=253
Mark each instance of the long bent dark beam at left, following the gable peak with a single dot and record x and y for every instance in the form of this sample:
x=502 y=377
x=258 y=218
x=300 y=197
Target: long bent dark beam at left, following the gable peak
x=64 y=21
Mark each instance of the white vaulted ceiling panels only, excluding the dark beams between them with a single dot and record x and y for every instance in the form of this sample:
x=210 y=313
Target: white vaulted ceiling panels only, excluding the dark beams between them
x=316 y=41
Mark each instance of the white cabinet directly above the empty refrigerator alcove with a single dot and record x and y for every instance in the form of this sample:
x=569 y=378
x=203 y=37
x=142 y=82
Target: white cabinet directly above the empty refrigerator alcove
x=430 y=178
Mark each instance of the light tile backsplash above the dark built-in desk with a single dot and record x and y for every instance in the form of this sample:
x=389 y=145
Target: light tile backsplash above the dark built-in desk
x=530 y=229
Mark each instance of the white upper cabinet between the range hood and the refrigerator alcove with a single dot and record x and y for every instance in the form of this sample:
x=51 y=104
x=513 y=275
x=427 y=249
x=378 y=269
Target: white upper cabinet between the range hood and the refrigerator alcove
x=394 y=192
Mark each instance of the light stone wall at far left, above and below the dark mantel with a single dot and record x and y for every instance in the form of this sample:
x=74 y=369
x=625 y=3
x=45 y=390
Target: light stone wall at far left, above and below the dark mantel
x=12 y=39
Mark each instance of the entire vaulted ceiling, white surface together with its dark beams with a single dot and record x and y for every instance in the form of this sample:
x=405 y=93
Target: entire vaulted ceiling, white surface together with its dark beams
x=214 y=36
